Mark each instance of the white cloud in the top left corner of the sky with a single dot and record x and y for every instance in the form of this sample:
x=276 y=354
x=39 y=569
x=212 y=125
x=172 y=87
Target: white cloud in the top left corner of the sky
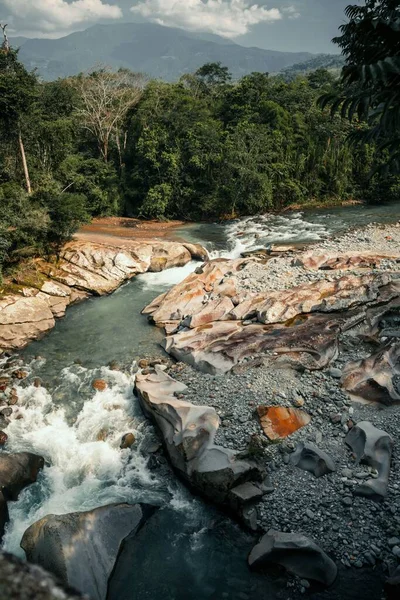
x=49 y=16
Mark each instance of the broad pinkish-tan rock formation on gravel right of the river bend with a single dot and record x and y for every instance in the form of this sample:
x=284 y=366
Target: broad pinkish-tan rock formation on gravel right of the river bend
x=213 y=325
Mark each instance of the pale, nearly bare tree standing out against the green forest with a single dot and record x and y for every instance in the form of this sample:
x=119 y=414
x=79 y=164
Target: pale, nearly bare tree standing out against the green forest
x=106 y=99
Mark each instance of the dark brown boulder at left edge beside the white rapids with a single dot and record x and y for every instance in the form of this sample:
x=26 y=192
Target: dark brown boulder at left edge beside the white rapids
x=17 y=471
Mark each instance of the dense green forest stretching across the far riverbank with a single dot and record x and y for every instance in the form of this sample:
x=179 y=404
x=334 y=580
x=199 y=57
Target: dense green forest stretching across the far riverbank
x=206 y=147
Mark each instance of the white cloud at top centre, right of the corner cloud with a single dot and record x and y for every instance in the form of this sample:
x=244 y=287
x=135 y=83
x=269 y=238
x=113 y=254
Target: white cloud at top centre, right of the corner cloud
x=228 y=18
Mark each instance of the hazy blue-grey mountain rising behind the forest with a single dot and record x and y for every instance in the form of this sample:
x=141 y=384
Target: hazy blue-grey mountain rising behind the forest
x=158 y=51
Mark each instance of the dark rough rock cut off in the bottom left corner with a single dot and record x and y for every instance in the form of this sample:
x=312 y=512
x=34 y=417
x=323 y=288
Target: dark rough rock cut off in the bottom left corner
x=21 y=581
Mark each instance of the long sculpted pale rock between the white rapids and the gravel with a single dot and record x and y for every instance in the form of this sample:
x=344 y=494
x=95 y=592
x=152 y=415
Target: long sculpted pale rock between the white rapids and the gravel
x=188 y=433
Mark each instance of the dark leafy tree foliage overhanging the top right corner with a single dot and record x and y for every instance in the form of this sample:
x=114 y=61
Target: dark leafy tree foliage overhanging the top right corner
x=370 y=42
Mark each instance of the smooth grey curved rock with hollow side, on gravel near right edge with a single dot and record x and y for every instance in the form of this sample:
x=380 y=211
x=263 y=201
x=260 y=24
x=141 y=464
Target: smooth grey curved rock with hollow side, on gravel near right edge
x=373 y=447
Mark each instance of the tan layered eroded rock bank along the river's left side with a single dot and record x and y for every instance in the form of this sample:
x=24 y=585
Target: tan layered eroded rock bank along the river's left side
x=43 y=293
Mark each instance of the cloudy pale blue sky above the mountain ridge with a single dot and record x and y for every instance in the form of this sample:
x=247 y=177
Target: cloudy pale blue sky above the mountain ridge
x=287 y=25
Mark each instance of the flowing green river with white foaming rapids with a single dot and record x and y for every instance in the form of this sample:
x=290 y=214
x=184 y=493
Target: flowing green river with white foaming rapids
x=189 y=549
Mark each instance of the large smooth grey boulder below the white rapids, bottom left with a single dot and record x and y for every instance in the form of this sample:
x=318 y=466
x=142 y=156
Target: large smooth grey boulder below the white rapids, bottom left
x=81 y=549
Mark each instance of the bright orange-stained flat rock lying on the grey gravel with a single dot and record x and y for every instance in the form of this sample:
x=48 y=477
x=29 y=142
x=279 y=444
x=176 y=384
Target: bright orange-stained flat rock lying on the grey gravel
x=279 y=422
